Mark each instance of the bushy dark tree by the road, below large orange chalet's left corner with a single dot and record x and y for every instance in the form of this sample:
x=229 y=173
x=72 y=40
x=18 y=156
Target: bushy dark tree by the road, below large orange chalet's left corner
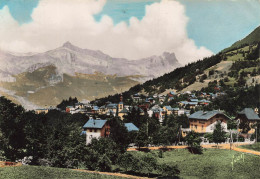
x=193 y=140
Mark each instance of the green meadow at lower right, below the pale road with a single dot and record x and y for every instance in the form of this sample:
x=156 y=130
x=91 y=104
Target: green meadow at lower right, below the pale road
x=213 y=163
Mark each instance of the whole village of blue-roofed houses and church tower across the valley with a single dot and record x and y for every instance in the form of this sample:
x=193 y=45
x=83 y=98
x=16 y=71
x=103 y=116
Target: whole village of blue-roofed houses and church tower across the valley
x=188 y=104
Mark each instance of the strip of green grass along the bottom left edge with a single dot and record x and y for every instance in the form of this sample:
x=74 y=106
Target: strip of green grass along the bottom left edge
x=31 y=172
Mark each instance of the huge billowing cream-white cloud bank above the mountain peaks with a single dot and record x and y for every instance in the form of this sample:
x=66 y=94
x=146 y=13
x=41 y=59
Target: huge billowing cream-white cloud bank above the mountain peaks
x=163 y=28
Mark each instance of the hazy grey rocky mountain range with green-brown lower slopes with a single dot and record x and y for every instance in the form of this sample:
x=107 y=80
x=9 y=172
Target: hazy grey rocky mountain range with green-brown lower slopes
x=47 y=78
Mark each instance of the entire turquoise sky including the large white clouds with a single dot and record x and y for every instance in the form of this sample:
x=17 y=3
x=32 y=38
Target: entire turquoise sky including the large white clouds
x=133 y=29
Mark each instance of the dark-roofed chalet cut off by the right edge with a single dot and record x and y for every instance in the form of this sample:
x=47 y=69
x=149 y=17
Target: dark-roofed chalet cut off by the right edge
x=250 y=116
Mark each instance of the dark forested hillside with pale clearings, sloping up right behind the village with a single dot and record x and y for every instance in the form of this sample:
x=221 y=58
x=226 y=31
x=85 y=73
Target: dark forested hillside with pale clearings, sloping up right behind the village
x=237 y=67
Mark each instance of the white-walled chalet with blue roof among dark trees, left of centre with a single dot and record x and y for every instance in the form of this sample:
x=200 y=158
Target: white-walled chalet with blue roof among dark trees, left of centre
x=96 y=128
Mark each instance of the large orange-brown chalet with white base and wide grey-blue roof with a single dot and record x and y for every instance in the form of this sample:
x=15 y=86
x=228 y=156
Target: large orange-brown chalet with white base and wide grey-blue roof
x=205 y=121
